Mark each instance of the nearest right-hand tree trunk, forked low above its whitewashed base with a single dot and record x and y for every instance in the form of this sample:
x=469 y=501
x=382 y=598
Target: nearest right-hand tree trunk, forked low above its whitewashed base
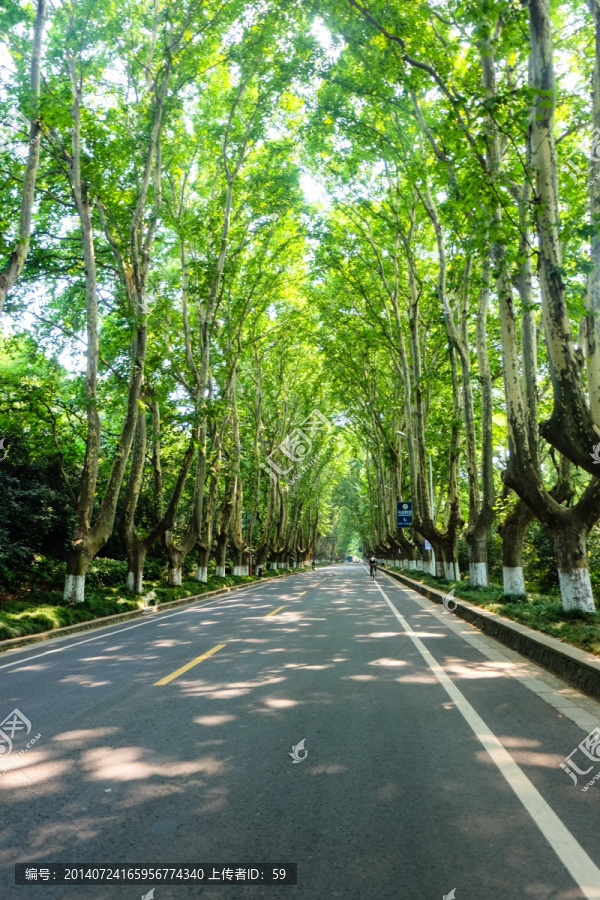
x=523 y=471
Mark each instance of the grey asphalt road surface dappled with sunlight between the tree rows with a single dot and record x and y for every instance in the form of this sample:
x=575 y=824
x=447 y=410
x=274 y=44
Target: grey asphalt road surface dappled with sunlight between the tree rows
x=429 y=768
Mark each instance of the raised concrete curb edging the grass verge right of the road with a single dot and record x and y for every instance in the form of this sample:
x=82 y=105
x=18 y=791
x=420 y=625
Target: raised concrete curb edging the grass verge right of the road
x=576 y=666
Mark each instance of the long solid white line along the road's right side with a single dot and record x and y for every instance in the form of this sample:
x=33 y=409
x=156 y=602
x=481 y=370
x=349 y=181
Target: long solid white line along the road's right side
x=572 y=855
